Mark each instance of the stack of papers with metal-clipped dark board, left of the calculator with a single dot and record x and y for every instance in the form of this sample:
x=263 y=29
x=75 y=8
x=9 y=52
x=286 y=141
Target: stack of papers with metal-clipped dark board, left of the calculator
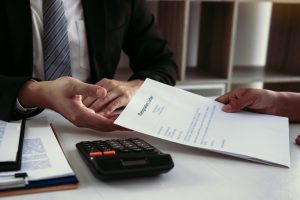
x=43 y=162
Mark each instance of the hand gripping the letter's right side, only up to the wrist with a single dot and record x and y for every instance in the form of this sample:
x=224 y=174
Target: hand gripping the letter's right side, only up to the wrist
x=256 y=100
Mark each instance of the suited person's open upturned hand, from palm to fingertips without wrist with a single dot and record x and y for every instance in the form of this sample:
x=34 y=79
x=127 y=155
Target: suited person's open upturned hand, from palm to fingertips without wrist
x=65 y=97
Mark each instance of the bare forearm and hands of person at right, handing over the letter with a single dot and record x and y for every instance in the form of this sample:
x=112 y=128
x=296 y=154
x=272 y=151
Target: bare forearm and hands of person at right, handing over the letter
x=263 y=101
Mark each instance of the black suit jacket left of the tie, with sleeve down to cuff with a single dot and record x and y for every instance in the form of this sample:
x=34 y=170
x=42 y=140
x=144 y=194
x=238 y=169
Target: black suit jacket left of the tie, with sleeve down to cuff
x=15 y=57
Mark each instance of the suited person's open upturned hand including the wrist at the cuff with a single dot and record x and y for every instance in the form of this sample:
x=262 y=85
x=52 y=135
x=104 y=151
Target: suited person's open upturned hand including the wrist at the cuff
x=64 y=95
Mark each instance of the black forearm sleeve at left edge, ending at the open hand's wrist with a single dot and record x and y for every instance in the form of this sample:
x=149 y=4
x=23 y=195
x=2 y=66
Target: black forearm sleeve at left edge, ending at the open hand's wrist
x=9 y=90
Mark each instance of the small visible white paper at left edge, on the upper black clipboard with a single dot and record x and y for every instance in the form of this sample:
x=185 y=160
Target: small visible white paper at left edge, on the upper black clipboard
x=9 y=140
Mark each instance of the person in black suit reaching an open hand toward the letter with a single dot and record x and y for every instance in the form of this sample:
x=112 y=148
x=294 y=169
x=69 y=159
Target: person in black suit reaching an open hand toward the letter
x=109 y=26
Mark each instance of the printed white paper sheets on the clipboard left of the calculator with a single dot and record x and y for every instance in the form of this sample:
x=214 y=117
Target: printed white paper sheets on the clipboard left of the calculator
x=42 y=156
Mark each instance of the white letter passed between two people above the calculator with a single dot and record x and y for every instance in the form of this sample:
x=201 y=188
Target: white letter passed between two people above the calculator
x=179 y=116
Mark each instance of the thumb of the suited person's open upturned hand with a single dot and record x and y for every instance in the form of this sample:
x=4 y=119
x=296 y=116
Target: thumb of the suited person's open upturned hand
x=89 y=90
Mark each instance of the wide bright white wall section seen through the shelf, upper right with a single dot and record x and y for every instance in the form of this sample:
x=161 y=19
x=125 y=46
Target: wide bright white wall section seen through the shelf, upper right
x=252 y=33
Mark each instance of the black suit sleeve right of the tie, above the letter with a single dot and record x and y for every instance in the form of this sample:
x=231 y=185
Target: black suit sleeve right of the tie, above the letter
x=148 y=52
